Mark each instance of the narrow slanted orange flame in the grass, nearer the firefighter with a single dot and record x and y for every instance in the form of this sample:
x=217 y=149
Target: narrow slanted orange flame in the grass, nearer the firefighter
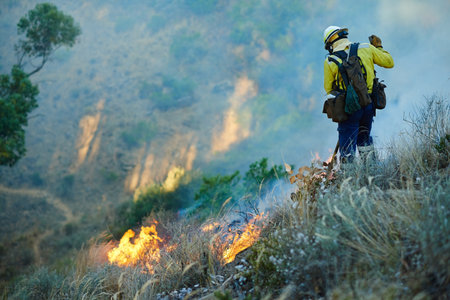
x=242 y=241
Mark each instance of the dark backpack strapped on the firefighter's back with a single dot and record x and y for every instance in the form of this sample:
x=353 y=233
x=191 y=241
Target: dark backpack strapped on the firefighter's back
x=352 y=72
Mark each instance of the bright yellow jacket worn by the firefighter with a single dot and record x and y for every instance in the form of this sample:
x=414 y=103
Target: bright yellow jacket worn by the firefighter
x=369 y=56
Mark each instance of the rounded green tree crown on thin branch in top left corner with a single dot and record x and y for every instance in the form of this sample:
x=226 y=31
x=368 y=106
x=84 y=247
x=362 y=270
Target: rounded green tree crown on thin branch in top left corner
x=45 y=29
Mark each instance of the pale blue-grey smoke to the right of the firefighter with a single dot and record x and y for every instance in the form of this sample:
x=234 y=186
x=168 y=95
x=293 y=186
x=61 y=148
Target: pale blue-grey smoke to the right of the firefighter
x=415 y=33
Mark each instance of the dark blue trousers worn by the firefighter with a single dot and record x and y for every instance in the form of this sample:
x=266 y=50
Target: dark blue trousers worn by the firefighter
x=355 y=132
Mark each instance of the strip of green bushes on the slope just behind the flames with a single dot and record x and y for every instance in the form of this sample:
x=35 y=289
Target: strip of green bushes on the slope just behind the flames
x=199 y=199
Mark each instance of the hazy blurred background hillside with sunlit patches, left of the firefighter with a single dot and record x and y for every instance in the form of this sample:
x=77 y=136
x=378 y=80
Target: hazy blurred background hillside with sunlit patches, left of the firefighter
x=171 y=86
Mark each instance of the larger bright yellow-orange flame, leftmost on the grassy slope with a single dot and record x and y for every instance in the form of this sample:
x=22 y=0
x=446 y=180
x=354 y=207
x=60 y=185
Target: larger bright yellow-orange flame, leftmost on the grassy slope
x=144 y=251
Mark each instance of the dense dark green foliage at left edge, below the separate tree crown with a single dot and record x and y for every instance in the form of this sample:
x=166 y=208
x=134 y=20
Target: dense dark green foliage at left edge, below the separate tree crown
x=17 y=100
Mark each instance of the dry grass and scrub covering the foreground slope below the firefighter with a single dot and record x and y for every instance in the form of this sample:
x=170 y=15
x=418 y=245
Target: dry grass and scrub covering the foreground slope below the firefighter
x=373 y=229
